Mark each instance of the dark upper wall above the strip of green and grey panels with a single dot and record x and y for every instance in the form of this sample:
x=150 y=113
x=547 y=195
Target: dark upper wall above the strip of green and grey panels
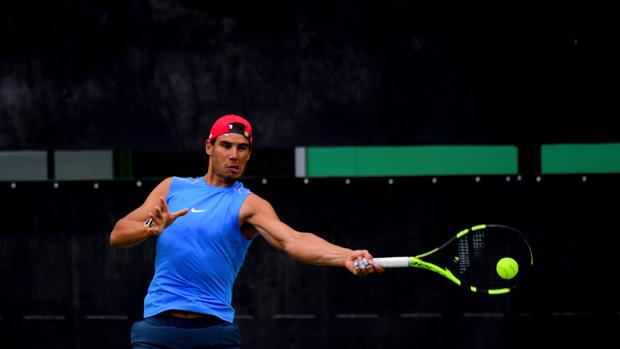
x=154 y=74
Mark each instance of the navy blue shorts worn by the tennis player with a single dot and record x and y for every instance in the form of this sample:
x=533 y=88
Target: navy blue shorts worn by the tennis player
x=166 y=331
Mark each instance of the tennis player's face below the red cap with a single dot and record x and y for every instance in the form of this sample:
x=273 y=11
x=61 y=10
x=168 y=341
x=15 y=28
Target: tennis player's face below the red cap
x=229 y=156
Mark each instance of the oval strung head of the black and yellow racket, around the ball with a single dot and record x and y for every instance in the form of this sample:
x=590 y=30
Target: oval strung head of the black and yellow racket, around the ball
x=473 y=254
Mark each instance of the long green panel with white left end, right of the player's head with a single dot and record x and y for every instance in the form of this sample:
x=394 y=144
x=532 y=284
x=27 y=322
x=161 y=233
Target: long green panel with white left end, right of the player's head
x=411 y=161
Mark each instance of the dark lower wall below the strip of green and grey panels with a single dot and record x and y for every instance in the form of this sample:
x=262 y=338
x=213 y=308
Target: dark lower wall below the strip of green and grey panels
x=63 y=287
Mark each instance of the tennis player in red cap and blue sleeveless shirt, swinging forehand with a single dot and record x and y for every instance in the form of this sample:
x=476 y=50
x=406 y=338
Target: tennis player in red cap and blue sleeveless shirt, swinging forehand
x=204 y=226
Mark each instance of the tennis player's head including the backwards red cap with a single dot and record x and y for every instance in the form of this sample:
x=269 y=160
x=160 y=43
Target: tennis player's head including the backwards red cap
x=229 y=147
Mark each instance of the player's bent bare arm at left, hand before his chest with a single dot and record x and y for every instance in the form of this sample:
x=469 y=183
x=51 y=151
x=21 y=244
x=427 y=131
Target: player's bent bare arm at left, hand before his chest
x=130 y=230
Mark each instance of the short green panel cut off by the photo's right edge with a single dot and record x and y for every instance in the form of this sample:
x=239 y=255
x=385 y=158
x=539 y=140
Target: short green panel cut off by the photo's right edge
x=581 y=158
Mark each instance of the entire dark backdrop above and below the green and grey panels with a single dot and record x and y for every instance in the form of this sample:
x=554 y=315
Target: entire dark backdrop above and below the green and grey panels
x=153 y=75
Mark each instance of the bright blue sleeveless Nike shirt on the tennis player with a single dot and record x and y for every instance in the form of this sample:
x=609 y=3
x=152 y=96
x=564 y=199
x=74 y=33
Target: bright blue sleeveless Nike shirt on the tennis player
x=199 y=255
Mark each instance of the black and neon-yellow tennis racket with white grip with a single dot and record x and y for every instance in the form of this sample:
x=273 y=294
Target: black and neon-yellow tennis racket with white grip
x=471 y=259
